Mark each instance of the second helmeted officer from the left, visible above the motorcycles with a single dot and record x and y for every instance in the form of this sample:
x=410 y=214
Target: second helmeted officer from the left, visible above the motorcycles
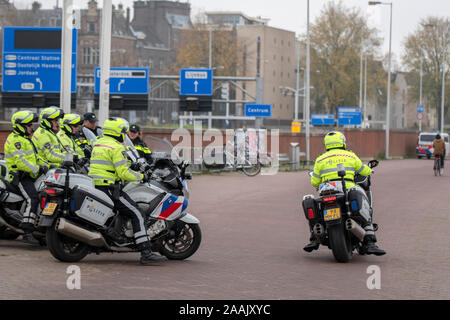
x=49 y=146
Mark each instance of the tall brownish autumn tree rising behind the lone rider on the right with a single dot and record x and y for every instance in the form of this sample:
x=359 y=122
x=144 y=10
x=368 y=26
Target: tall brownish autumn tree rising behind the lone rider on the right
x=337 y=38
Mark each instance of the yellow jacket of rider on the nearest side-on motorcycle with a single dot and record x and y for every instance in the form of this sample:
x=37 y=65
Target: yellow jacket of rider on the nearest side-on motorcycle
x=109 y=163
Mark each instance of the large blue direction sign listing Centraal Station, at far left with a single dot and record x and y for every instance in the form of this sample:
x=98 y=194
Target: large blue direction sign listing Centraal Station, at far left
x=32 y=59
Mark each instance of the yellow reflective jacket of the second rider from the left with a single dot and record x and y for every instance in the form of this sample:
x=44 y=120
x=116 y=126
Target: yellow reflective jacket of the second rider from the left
x=50 y=148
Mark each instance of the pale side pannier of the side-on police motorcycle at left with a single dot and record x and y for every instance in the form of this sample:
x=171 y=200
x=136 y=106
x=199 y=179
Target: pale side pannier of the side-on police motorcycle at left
x=92 y=205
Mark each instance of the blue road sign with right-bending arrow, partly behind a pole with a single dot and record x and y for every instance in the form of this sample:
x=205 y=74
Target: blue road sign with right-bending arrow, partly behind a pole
x=125 y=81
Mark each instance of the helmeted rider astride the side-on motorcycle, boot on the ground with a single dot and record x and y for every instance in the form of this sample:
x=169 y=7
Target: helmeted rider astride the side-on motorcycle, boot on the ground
x=109 y=166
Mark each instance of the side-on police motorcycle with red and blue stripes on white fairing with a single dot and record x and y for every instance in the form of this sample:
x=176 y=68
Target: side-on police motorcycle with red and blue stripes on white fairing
x=79 y=218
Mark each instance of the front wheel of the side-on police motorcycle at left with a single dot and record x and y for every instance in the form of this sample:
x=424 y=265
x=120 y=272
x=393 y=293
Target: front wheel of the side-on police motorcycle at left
x=184 y=245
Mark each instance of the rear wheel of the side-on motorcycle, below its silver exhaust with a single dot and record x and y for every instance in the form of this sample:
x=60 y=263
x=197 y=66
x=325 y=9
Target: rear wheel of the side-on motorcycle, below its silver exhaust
x=64 y=248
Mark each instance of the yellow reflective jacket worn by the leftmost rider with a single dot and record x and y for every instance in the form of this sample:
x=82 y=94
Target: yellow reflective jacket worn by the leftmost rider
x=21 y=155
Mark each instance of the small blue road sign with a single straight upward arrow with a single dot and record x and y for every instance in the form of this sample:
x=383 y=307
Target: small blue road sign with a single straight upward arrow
x=196 y=82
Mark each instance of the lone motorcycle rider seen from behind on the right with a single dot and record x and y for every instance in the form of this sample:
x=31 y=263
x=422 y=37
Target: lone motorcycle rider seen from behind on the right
x=326 y=169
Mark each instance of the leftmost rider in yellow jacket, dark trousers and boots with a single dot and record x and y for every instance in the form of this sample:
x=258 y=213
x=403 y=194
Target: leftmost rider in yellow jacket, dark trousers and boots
x=24 y=166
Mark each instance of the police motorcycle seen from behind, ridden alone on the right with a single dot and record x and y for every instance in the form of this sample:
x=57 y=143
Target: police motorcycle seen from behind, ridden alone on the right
x=338 y=214
